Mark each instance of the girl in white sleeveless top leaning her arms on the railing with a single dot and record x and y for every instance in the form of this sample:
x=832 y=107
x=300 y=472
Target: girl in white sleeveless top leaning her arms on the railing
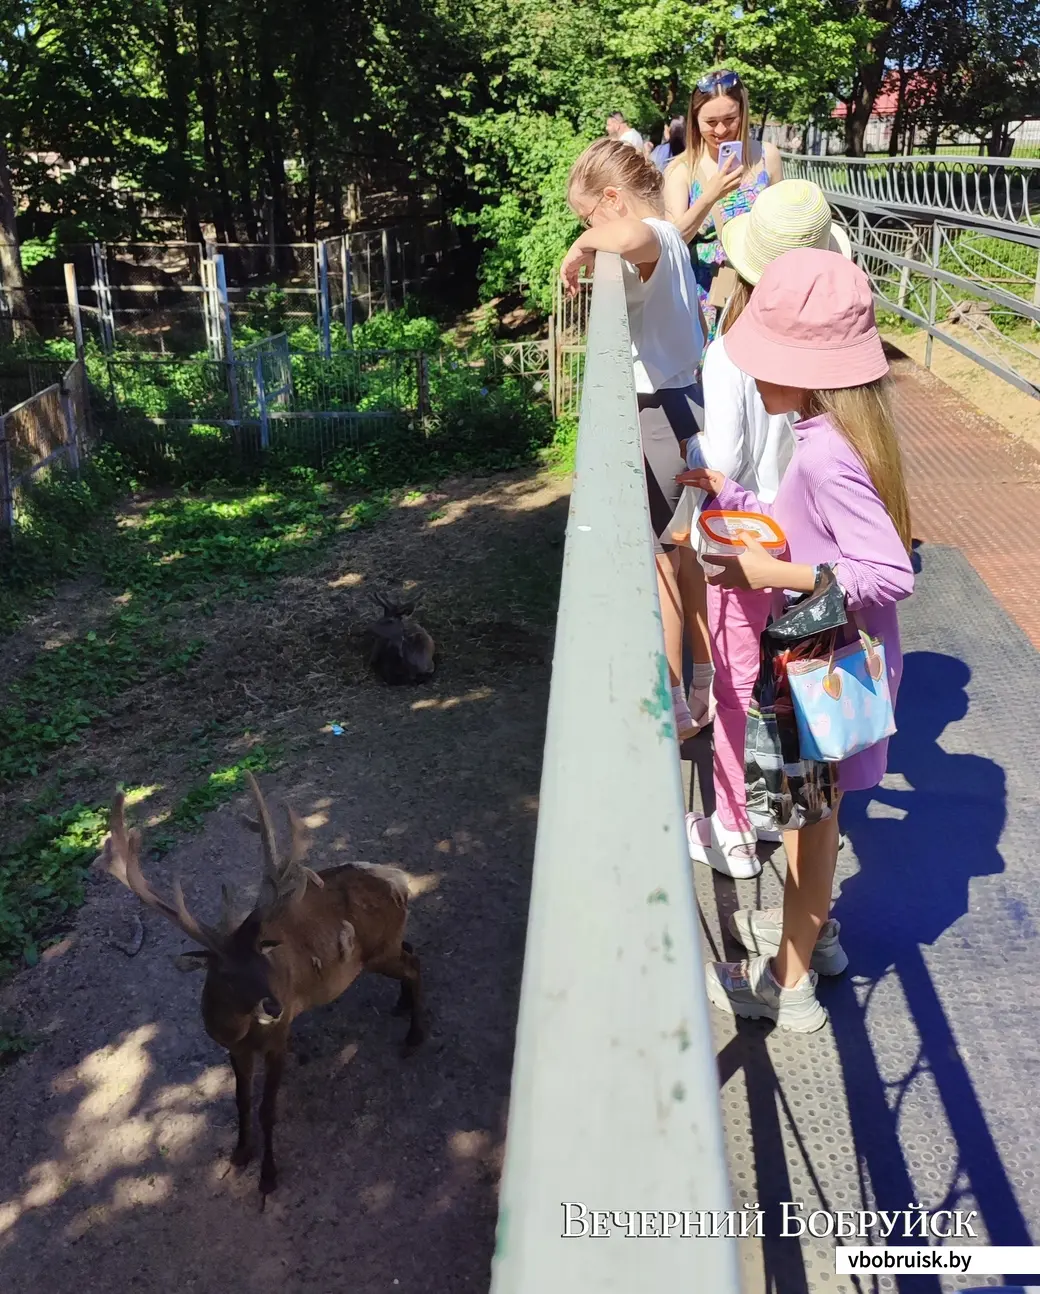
x=616 y=193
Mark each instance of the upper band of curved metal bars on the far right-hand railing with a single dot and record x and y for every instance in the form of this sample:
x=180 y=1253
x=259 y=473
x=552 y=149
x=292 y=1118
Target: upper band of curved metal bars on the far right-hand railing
x=995 y=195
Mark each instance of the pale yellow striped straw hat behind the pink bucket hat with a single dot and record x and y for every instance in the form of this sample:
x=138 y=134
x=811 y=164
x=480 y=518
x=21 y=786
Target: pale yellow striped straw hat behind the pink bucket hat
x=786 y=217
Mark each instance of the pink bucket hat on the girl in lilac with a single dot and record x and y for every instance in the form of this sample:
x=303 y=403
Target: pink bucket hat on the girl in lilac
x=810 y=324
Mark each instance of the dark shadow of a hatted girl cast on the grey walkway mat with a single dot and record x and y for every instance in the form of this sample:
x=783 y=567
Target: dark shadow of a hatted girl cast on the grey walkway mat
x=920 y=839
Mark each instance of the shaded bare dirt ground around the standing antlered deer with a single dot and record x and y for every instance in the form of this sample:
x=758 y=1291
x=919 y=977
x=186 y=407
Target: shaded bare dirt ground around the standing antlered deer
x=118 y=1125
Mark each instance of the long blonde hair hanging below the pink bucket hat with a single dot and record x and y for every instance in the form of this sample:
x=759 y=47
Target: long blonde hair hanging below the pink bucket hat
x=863 y=416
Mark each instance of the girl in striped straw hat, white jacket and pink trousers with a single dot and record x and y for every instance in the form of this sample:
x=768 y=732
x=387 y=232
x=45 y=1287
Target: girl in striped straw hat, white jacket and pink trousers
x=752 y=448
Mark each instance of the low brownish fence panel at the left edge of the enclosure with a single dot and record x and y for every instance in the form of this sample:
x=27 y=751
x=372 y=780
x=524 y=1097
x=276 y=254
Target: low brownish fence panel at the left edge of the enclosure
x=49 y=429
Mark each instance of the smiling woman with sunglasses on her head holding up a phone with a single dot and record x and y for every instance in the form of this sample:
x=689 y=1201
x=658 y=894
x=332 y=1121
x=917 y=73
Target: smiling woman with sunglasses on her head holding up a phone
x=700 y=196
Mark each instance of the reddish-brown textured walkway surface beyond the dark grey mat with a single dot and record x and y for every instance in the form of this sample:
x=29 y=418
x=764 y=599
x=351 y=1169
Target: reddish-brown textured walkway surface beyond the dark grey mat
x=973 y=486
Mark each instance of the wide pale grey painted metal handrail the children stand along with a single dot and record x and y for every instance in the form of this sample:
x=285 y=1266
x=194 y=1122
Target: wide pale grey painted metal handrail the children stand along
x=615 y=1091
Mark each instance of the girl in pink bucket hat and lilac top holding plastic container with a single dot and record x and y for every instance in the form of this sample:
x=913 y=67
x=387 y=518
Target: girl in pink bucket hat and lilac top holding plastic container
x=809 y=340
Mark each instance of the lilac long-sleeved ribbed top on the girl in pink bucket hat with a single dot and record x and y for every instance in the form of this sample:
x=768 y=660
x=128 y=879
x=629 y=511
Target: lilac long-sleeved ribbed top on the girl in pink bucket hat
x=831 y=512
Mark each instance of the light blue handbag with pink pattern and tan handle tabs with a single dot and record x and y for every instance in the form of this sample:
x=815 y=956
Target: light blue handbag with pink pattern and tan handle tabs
x=843 y=703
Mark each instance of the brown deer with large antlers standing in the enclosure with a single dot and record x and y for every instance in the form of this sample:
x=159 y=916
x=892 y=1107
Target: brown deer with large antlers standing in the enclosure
x=307 y=939
